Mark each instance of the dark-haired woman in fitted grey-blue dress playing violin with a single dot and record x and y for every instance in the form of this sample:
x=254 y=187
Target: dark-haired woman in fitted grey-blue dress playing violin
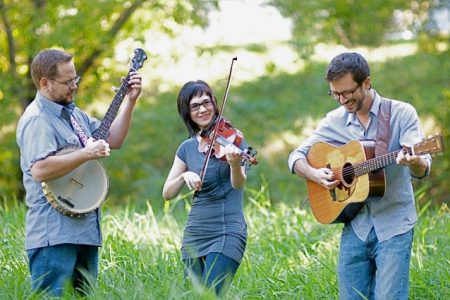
x=215 y=236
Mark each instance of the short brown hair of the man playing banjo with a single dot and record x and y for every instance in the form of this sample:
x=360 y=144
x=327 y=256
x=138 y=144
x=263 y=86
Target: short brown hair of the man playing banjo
x=45 y=64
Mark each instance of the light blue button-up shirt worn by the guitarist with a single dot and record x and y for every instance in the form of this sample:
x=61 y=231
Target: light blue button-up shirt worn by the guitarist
x=395 y=212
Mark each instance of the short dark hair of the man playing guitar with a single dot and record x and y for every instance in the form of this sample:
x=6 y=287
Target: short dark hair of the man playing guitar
x=345 y=63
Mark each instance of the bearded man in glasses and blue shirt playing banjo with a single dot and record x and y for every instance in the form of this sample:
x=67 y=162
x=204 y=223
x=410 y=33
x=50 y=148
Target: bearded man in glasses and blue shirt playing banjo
x=63 y=249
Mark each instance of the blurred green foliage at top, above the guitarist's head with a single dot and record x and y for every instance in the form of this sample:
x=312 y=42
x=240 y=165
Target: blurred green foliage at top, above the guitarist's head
x=352 y=23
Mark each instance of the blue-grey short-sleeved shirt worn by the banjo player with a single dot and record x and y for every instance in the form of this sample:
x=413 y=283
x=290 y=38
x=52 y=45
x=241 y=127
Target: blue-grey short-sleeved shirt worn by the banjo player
x=44 y=129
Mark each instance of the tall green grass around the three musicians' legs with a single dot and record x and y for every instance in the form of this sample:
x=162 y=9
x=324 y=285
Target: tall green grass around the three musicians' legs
x=289 y=255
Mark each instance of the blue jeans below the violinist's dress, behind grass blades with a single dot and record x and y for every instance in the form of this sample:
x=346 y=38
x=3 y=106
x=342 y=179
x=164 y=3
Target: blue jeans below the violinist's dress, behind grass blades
x=213 y=270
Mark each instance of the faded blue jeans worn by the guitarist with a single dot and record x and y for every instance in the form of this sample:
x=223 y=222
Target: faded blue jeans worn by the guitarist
x=372 y=269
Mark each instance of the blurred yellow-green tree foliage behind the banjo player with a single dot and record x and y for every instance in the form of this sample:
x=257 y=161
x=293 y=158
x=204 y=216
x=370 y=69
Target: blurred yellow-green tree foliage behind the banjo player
x=87 y=29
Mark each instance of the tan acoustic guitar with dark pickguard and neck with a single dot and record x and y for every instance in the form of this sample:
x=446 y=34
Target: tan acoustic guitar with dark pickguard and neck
x=360 y=174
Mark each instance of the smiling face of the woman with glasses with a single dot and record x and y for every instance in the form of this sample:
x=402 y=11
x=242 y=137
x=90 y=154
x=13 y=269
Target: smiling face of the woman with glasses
x=202 y=110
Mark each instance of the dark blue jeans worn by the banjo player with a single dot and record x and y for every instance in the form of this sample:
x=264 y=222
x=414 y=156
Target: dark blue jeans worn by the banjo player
x=54 y=266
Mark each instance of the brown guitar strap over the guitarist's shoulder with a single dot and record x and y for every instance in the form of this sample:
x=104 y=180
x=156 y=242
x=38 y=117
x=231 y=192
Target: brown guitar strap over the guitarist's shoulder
x=384 y=116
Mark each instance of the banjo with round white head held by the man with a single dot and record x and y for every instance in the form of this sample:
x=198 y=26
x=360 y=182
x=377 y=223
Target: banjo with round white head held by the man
x=84 y=189
